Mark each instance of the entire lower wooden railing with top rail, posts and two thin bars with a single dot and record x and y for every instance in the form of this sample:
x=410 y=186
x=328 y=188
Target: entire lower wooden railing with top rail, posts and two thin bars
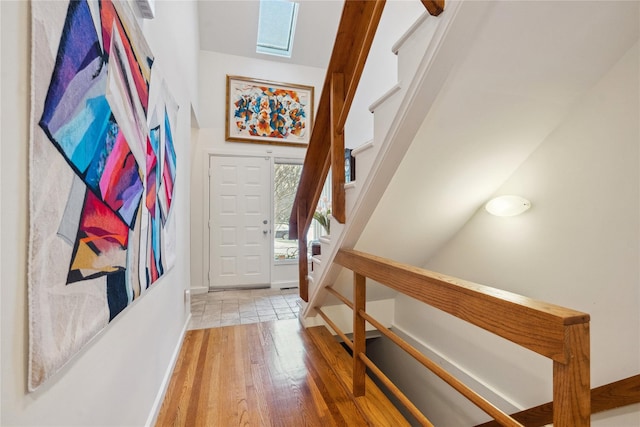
x=558 y=333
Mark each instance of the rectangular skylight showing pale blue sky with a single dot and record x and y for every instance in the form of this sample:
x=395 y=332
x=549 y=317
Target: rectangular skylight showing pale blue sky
x=276 y=26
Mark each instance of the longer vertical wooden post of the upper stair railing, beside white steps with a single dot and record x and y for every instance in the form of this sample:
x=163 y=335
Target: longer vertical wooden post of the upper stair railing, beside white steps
x=337 y=149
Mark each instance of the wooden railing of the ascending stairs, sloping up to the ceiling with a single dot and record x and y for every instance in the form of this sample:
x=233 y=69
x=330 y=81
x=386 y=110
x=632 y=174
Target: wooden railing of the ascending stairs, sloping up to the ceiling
x=357 y=28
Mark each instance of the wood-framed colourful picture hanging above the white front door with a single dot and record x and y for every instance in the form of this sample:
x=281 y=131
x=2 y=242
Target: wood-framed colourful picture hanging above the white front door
x=267 y=112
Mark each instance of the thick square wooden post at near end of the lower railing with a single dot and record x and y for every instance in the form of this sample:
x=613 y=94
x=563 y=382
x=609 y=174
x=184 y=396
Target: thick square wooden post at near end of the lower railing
x=571 y=383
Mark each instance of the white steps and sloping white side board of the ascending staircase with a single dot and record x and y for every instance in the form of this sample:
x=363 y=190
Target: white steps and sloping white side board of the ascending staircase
x=397 y=115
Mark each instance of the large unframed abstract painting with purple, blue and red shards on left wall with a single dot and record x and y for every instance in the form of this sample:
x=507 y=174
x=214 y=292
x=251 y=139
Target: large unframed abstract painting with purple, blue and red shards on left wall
x=102 y=175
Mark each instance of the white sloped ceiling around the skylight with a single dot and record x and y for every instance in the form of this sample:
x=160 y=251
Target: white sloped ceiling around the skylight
x=231 y=27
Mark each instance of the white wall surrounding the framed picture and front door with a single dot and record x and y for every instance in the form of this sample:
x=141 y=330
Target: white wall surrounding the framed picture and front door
x=214 y=67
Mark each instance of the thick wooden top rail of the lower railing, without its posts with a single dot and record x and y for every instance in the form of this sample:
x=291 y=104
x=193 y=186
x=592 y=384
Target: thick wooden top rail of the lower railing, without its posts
x=533 y=324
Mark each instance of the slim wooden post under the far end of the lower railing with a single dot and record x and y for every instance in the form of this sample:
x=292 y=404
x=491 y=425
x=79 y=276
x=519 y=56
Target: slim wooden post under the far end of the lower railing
x=359 y=339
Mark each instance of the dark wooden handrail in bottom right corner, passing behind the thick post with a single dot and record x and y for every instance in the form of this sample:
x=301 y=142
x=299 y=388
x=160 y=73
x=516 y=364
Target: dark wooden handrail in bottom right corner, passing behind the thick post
x=604 y=398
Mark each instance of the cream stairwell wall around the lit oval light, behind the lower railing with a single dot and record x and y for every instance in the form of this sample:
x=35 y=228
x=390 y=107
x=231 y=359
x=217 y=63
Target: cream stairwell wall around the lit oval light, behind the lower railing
x=578 y=246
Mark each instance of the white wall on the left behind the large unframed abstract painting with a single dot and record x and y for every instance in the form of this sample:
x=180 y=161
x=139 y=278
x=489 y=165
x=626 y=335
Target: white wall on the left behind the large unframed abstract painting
x=116 y=379
